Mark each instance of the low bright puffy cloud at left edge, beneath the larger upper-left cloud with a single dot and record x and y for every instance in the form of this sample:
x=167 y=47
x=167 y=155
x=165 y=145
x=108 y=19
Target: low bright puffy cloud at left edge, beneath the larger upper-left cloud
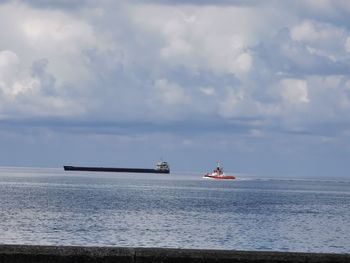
x=24 y=94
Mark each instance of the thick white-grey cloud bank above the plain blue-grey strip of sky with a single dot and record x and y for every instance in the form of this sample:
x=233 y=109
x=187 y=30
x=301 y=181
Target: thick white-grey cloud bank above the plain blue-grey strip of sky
x=269 y=67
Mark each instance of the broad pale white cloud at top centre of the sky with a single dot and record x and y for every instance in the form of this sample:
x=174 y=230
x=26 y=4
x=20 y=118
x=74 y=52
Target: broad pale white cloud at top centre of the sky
x=202 y=38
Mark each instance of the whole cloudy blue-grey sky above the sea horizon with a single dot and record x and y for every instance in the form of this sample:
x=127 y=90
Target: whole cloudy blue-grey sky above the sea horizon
x=262 y=86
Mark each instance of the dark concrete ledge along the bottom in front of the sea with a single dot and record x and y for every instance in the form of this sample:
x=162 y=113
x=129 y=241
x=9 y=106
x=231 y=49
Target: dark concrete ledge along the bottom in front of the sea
x=53 y=254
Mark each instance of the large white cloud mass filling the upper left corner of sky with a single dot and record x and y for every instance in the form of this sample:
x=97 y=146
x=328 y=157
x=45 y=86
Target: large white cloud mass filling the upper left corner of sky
x=62 y=40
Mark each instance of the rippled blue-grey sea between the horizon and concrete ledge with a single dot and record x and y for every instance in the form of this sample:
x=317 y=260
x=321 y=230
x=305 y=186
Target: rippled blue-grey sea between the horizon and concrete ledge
x=41 y=206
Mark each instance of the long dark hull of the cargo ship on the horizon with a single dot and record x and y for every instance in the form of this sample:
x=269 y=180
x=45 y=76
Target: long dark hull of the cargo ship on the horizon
x=115 y=170
